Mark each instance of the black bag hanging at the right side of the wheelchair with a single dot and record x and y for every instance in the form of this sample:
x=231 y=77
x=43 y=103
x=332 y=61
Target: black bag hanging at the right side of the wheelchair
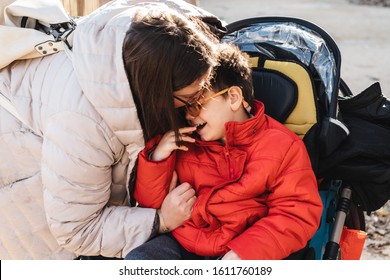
x=363 y=160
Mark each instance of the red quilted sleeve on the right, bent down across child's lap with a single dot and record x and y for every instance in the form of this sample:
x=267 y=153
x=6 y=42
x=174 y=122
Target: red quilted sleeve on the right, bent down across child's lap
x=294 y=211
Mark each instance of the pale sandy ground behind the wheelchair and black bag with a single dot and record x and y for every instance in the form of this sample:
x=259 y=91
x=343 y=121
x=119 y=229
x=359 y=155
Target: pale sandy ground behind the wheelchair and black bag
x=362 y=34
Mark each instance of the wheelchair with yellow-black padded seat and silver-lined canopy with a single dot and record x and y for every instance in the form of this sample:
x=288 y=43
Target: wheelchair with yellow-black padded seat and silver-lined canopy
x=296 y=74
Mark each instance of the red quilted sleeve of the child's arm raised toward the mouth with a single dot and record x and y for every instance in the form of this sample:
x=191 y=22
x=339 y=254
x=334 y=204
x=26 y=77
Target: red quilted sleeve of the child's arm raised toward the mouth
x=153 y=177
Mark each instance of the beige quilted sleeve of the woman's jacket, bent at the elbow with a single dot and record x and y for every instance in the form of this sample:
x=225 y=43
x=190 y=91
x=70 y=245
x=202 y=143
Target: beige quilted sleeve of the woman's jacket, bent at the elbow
x=77 y=158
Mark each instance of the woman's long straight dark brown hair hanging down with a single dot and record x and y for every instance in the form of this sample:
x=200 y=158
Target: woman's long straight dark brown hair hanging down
x=164 y=52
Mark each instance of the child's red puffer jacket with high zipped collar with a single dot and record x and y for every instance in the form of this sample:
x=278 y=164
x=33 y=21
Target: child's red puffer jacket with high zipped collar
x=257 y=194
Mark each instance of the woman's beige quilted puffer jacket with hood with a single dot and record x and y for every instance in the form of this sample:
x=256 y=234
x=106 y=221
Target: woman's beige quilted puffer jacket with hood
x=63 y=175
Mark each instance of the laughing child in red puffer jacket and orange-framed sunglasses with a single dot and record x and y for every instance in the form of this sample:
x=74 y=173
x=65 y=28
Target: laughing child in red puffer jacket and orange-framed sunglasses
x=257 y=195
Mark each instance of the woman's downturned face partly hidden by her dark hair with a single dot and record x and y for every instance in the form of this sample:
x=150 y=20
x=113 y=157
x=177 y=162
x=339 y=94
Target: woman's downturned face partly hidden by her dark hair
x=191 y=92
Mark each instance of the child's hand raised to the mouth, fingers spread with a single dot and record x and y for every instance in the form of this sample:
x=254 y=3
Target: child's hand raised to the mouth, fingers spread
x=168 y=143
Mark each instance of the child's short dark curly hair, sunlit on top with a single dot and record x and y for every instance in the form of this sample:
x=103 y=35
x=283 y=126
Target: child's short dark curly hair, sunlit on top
x=233 y=70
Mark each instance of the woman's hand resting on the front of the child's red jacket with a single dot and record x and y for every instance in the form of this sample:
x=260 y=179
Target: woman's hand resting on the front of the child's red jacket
x=177 y=205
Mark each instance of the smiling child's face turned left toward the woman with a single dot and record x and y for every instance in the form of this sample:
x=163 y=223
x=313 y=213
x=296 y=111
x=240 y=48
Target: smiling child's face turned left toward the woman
x=211 y=120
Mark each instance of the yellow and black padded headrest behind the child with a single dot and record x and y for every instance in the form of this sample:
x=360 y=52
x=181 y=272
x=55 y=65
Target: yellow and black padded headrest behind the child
x=287 y=91
